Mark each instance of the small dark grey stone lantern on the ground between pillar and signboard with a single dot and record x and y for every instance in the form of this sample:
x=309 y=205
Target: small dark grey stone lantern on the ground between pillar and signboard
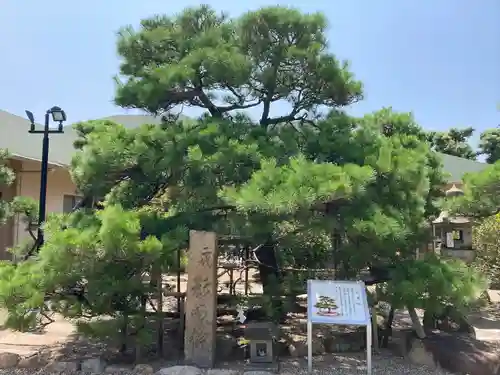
x=260 y=336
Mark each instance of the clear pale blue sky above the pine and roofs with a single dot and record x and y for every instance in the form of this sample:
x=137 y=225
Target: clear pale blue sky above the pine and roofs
x=439 y=59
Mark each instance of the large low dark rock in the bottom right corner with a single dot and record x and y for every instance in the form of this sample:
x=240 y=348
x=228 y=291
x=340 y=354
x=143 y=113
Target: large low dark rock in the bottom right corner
x=458 y=354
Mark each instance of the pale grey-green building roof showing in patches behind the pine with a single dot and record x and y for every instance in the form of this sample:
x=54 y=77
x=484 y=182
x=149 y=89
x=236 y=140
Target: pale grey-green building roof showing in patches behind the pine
x=14 y=136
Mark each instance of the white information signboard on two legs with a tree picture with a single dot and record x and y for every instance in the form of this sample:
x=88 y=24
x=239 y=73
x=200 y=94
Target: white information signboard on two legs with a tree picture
x=338 y=302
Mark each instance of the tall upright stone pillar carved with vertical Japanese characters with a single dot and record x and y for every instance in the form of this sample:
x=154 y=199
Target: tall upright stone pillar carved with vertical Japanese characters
x=201 y=299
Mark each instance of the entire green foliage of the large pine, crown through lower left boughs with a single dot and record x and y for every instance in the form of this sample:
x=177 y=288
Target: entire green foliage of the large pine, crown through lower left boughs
x=296 y=180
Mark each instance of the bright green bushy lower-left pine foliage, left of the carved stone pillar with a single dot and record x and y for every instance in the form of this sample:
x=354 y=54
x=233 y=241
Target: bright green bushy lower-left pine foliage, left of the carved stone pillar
x=100 y=253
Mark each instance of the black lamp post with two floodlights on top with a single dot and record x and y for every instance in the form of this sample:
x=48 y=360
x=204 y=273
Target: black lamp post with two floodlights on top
x=58 y=115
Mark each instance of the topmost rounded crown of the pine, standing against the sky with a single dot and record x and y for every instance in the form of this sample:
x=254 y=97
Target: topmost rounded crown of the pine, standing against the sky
x=264 y=56
